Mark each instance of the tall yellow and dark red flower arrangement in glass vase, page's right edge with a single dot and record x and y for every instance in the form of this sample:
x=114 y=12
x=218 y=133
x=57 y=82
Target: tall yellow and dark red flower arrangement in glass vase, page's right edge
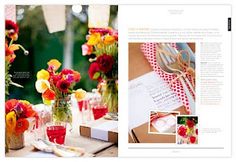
x=102 y=48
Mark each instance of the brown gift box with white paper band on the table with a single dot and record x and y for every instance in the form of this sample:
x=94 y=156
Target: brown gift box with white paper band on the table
x=102 y=129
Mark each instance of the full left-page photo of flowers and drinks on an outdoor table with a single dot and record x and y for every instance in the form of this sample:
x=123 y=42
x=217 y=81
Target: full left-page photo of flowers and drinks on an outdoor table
x=61 y=81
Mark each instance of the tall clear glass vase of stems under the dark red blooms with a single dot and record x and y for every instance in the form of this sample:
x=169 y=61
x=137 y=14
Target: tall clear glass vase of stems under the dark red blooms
x=110 y=98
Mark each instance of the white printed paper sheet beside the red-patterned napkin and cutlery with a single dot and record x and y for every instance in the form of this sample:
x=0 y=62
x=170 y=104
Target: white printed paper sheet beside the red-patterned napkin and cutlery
x=149 y=92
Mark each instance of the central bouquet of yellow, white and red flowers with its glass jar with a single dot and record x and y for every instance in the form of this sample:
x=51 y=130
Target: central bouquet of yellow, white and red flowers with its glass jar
x=58 y=86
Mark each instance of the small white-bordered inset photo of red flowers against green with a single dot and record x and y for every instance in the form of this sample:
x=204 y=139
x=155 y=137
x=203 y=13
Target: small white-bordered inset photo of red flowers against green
x=187 y=130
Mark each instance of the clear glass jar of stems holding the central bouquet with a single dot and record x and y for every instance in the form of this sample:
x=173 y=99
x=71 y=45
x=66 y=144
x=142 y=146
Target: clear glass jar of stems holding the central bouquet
x=61 y=110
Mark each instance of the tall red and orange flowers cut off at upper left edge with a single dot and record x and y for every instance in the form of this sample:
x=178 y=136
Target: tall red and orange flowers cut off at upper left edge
x=11 y=35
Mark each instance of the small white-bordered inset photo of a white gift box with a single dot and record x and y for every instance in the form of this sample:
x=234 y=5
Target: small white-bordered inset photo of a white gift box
x=162 y=122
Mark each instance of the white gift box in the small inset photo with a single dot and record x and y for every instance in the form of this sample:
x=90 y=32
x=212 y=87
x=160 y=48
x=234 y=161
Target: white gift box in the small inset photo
x=165 y=124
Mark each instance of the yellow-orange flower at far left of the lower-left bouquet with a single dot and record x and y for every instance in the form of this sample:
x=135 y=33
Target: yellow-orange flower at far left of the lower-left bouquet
x=11 y=122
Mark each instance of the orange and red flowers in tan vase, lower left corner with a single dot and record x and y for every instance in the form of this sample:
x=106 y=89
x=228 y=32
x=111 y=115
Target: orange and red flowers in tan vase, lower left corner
x=17 y=114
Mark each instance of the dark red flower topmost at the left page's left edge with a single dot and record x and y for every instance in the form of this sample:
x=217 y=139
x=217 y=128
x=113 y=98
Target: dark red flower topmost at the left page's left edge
x=12 y=29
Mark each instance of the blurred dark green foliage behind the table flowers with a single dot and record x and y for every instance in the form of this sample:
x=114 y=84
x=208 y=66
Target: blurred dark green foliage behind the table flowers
x=43 y=46
